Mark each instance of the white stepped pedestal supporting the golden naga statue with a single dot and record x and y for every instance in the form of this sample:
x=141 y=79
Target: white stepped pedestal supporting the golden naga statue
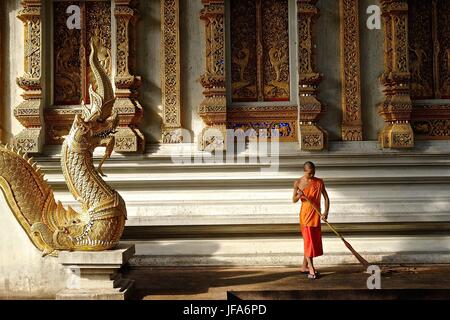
x=95 y=275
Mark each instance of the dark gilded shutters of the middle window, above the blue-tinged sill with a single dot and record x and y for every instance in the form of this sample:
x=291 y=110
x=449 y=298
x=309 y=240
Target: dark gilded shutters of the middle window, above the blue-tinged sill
x=260 y=50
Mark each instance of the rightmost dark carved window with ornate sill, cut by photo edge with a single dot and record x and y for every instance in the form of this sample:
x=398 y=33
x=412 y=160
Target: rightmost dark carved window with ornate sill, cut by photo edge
x=429 y=55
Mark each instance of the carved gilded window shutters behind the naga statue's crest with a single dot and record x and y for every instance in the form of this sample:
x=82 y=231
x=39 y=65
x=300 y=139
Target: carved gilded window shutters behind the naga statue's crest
x=71 y=50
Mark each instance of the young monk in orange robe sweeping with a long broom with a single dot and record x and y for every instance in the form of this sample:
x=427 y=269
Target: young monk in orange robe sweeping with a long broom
x=313 y=188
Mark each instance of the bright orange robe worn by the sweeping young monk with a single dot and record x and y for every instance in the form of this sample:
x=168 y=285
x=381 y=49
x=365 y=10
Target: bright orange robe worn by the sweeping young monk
x=310 y=220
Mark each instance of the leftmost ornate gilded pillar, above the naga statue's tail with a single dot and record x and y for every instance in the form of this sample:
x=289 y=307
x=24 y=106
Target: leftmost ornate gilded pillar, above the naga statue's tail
x=29 y=113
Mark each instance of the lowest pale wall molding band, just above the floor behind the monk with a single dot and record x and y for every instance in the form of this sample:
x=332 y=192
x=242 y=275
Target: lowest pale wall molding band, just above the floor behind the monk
x=288 y=251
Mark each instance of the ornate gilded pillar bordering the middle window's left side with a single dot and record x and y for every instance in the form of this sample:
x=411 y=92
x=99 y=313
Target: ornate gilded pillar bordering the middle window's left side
x=213 y=109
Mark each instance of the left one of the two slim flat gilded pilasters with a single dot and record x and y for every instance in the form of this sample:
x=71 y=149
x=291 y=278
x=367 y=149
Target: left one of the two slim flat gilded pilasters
x=170 y=71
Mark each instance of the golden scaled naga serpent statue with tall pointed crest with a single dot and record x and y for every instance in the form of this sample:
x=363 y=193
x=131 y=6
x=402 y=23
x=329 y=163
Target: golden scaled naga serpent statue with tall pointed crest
x=51 y=227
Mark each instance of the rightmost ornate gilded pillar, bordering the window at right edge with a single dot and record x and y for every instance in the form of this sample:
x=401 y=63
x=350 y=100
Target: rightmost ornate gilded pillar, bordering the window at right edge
x=396 y=108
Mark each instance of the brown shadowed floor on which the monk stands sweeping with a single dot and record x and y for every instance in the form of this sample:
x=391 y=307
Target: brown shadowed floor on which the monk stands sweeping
x=213 y=283
